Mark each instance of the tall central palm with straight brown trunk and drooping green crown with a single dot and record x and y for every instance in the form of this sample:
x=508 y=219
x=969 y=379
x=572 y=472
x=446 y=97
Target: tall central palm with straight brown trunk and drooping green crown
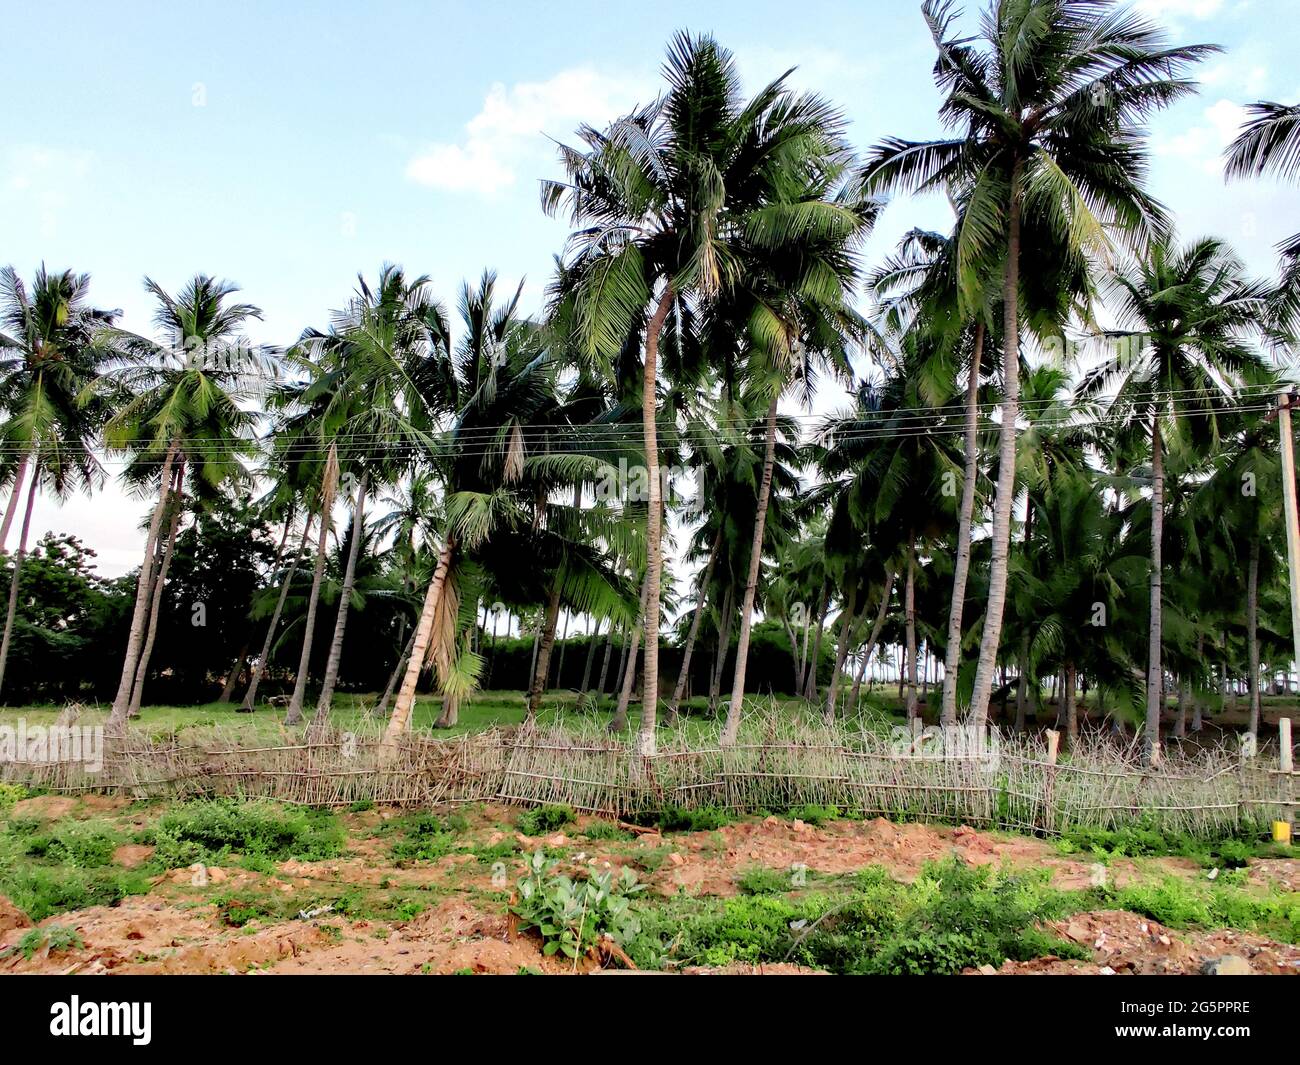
x=662 y=204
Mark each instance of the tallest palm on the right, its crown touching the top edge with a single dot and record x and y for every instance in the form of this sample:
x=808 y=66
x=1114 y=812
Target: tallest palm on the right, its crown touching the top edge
x=1050 y=101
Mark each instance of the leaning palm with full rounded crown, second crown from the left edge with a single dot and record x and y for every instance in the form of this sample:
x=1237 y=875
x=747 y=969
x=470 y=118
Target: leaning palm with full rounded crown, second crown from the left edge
x=181 y=408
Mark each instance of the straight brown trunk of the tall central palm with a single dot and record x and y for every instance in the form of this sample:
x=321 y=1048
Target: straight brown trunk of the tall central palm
x=655 y=525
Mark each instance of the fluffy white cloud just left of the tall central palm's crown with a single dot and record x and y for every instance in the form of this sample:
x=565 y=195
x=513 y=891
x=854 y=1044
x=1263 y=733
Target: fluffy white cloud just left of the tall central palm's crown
x=513 y=127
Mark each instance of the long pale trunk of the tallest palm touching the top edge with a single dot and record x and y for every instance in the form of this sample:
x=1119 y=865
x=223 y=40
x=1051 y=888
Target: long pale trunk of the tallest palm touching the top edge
x=1002 y=532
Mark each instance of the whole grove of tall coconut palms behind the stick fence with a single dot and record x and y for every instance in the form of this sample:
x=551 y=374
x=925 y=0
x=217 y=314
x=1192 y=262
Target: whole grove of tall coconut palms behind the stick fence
x=1058 y=466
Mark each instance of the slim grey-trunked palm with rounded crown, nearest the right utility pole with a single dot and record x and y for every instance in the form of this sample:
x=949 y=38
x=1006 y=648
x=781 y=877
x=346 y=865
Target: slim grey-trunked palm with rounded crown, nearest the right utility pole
x=1188 y=315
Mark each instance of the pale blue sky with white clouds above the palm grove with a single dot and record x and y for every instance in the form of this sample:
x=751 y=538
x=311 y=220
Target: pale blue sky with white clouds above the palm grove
x=289 y=146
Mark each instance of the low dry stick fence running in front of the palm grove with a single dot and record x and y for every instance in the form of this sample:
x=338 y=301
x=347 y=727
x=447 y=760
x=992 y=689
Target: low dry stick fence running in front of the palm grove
x=1020 y=786
